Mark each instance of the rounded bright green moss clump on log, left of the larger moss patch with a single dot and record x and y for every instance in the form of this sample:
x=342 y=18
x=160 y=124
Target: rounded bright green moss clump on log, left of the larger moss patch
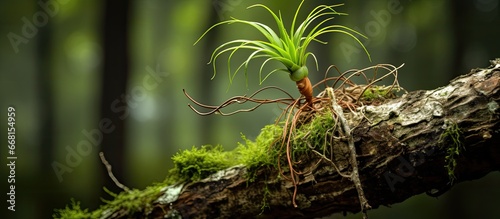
x=198 y=163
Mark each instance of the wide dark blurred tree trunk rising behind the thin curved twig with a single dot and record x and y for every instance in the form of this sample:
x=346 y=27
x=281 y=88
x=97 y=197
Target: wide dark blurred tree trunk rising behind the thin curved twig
x=114 y=93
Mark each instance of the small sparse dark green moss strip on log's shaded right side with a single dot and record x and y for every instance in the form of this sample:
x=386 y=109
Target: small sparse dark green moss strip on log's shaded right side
x=451 y=137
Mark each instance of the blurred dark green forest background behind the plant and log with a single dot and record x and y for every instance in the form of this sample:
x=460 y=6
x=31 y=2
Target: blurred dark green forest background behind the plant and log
x=70 y=67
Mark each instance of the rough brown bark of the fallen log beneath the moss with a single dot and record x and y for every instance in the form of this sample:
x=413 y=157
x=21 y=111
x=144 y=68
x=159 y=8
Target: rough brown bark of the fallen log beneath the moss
x=400 y=155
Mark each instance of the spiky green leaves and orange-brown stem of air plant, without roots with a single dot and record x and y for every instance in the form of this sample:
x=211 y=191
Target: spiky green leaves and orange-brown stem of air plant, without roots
x=287 y=47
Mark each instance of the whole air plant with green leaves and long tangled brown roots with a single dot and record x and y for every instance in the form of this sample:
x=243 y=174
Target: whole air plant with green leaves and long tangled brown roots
x=290 y=47
